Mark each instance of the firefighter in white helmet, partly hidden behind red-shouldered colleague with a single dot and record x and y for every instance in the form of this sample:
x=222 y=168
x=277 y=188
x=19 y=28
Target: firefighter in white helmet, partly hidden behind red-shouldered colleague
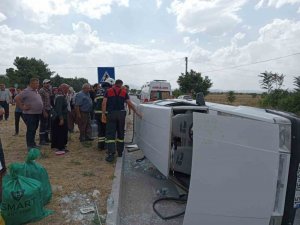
x=98 y=111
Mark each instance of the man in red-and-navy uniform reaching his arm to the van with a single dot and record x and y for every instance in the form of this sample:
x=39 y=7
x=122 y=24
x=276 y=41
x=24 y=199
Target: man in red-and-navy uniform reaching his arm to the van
x=113 y=104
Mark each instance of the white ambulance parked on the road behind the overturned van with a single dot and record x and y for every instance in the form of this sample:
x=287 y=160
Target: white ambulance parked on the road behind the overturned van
x=156 y=90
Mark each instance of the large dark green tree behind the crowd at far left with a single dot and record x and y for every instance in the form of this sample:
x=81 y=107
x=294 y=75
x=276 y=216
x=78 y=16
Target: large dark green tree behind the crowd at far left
x=26 y=69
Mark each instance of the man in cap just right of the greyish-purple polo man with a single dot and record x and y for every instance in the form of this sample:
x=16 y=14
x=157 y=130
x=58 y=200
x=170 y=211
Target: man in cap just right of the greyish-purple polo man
x=45 y=93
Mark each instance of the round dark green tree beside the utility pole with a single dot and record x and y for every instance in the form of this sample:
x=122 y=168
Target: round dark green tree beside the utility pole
x=193 y=82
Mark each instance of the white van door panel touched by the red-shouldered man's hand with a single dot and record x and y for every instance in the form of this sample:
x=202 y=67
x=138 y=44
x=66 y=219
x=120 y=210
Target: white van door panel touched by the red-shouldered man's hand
x=153 y=135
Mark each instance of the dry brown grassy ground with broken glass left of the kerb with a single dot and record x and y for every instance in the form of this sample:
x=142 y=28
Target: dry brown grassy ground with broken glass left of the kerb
x=74 y=176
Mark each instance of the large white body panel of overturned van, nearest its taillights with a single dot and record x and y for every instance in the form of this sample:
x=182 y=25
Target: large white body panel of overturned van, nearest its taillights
x=234 y=171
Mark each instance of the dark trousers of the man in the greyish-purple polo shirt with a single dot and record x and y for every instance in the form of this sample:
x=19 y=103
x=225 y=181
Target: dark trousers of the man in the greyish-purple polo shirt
x=32 y=123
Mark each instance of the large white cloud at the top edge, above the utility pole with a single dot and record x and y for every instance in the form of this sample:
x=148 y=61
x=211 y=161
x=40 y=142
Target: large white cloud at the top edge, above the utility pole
x=215 y=17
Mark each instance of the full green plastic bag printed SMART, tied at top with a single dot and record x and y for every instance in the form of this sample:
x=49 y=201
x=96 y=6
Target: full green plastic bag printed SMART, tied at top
x=21 y=198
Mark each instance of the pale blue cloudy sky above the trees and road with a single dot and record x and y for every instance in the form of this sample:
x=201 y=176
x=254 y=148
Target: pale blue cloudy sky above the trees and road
x=231 y=42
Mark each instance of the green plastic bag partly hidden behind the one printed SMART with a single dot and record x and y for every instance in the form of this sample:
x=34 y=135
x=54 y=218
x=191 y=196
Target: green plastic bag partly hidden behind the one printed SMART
x=36 y=171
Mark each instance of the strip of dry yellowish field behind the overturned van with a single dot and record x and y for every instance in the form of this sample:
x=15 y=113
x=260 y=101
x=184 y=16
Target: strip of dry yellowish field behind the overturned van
x=241 y=99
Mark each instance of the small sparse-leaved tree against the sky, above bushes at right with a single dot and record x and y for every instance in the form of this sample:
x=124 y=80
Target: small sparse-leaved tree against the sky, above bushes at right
x=271 y=81
